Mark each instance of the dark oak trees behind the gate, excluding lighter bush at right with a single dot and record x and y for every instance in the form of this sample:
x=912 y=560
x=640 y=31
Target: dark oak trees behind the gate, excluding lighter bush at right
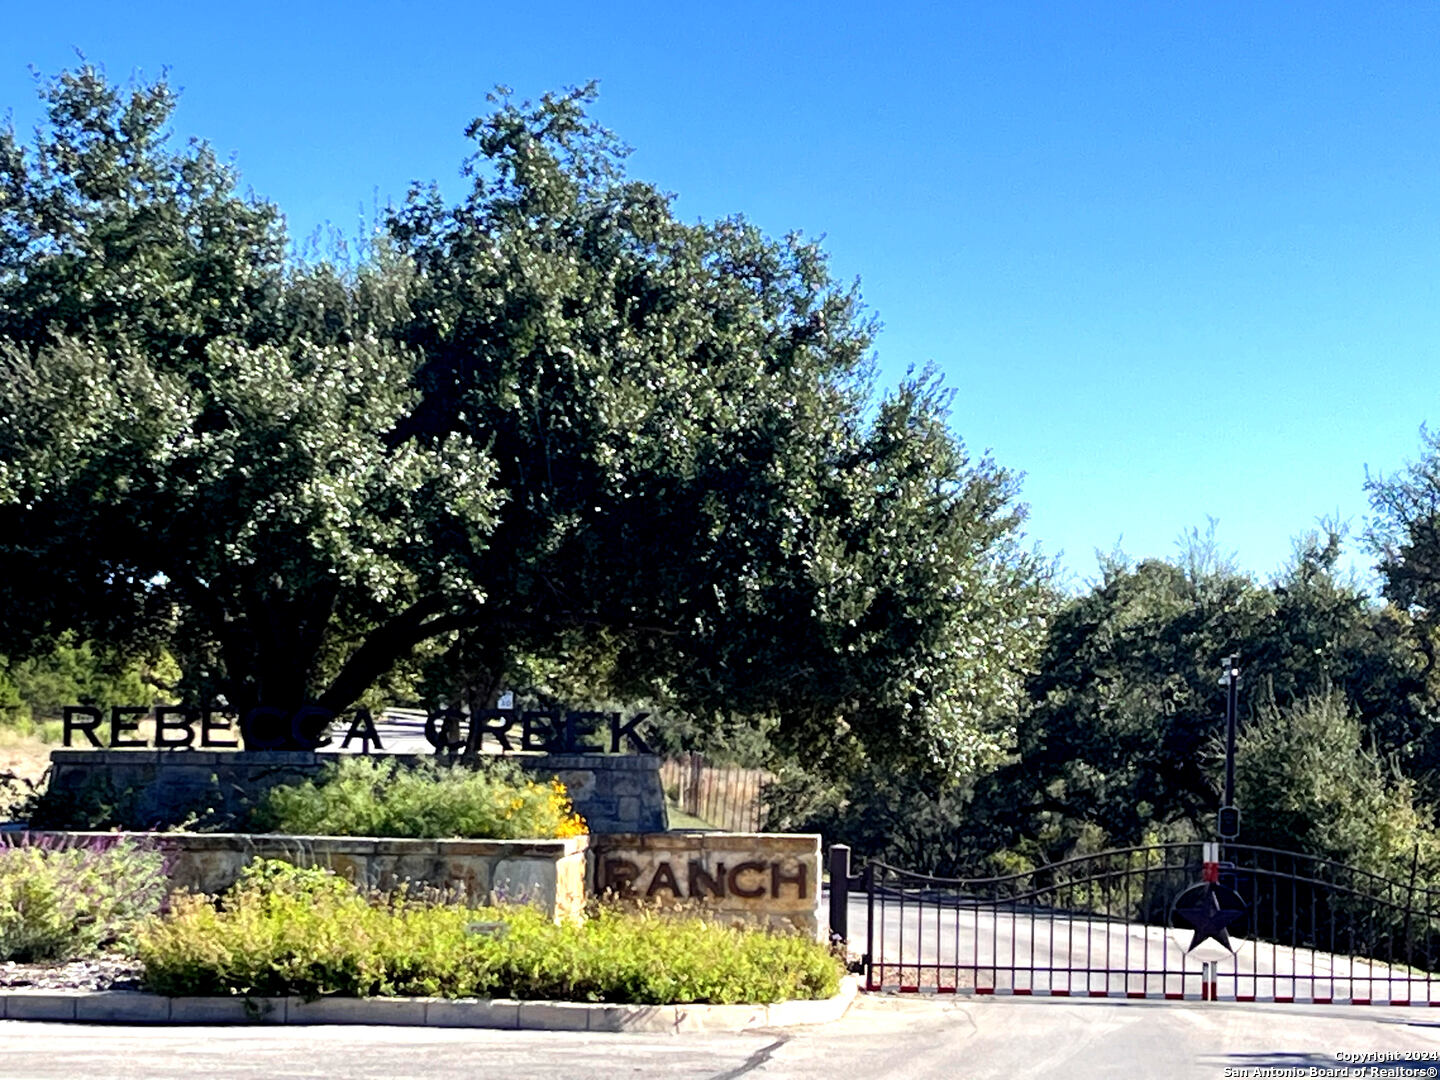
x=1124 y=734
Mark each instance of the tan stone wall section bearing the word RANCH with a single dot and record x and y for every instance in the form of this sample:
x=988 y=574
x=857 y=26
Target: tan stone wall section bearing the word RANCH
x=765 y=879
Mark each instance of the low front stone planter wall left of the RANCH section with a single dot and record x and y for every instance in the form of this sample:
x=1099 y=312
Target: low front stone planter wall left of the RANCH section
x=548 y=873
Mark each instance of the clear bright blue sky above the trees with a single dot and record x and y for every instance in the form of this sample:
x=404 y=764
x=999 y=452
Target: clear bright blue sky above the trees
x=1177 y=261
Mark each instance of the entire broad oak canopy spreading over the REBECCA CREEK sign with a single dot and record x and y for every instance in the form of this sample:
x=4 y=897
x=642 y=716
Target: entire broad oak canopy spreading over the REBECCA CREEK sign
x=549 y=421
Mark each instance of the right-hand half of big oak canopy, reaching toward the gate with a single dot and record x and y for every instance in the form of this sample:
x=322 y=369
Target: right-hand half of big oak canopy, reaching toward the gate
x=653 y=388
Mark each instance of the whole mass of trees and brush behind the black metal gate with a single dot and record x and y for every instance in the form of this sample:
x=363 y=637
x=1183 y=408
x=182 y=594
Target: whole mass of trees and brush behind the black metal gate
x=1121 y=739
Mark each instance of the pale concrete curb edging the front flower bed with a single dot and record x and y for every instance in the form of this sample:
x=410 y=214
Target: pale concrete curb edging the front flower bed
x=132 y=1007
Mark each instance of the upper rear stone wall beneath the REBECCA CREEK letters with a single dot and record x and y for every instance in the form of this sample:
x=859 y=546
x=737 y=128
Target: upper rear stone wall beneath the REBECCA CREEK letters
x=166 y=788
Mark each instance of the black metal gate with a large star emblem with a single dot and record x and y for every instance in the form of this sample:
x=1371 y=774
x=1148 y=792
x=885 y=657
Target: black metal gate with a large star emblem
x=1176 y=921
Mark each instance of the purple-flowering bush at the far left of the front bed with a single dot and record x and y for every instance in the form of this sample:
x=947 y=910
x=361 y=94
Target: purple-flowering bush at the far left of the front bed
x=64 y=904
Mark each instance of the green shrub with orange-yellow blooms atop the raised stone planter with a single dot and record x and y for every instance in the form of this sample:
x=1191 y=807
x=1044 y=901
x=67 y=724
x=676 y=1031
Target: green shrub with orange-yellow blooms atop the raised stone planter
x=375 y=797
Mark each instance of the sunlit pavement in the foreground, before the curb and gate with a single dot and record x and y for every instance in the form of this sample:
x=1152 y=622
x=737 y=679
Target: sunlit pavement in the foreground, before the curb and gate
x=882 y=1038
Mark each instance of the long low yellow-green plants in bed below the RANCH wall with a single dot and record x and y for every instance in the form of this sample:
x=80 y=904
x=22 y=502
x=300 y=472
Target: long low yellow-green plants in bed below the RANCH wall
x=286 y=932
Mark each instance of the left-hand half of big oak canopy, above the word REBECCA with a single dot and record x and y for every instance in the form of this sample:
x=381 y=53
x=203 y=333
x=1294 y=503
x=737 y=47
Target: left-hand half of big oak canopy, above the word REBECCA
x=195 y=437
